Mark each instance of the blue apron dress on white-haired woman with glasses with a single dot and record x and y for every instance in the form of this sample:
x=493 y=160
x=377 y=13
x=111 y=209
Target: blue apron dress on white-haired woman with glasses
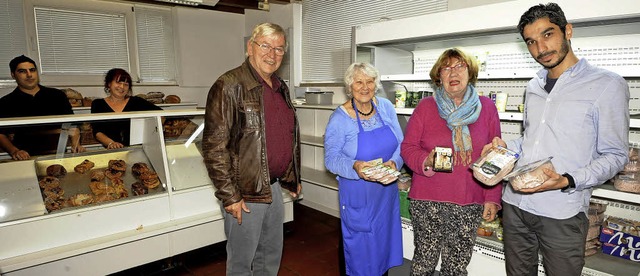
x=370 y=211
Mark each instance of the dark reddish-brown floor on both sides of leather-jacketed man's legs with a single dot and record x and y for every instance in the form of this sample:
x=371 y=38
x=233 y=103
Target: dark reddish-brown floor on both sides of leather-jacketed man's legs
x=311 y=247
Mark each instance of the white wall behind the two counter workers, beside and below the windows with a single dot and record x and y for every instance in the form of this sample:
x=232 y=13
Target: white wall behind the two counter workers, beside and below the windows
x=208 y=43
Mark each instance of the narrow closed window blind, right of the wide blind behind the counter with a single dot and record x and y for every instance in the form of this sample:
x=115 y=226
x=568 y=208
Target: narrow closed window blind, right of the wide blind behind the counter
x=155 y=45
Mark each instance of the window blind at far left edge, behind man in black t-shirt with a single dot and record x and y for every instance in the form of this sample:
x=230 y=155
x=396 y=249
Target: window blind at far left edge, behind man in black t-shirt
x=13 y=40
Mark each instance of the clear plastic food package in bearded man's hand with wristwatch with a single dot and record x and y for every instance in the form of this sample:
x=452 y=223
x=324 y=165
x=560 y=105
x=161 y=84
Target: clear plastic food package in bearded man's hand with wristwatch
x=531 y=175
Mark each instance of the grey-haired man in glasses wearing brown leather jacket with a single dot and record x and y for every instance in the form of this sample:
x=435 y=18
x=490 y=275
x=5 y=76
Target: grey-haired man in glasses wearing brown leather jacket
x=251 y=147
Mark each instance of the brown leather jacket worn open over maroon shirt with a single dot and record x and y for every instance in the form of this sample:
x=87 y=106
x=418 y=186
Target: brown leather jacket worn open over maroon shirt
x=234 y=146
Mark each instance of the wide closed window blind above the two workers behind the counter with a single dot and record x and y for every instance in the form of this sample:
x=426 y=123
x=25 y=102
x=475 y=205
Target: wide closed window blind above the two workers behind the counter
x=80 y=42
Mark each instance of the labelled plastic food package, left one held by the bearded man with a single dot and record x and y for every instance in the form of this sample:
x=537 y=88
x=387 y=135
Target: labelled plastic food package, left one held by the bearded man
x=491 y=167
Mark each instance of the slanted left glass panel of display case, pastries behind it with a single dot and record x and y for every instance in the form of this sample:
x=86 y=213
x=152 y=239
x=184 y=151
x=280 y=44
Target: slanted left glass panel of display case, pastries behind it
x=54 y=179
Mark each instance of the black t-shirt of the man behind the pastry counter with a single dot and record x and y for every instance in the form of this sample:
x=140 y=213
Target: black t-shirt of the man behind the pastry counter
x=35 y=139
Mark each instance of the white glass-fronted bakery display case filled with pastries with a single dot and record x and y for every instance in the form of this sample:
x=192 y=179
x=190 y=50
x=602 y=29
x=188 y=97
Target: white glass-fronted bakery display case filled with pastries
x=105 y=210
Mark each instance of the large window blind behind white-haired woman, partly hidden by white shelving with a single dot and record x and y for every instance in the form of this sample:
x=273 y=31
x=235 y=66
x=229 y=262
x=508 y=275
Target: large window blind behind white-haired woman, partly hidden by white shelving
x=326 y=33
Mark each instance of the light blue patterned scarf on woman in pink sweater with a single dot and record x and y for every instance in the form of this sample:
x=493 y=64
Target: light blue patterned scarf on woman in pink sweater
x=458 y=117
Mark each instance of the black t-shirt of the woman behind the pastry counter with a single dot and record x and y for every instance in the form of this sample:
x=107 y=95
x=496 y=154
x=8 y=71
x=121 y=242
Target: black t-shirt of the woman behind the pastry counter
x=118 y=130
